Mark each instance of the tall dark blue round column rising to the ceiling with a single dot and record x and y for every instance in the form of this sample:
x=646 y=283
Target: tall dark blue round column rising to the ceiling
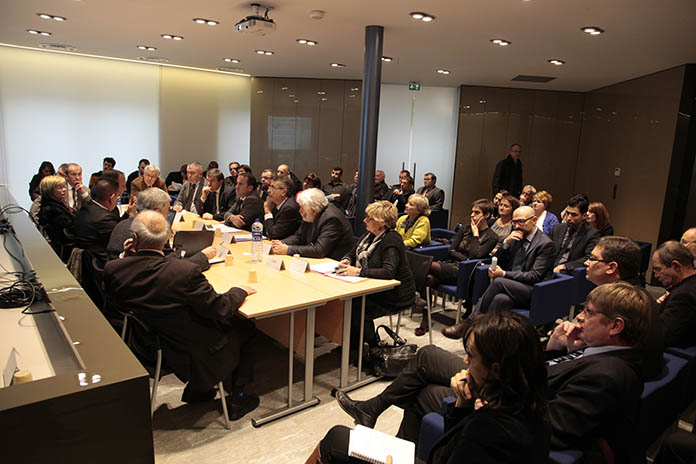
x=372 y=77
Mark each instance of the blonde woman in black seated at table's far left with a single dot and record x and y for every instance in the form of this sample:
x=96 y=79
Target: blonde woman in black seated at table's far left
x=55 y=217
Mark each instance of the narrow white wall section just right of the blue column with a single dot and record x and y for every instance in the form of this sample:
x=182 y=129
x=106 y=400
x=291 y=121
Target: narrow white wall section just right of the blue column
x=421 y=128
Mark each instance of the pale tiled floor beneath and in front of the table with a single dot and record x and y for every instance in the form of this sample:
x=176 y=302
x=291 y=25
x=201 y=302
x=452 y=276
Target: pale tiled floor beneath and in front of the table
x=186 y=433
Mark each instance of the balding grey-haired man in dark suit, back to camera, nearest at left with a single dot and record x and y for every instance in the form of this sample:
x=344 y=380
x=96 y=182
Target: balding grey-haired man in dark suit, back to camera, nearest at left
x=202 y=339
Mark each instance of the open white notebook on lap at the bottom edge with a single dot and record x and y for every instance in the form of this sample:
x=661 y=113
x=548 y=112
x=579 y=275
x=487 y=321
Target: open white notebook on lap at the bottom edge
x=373 y=446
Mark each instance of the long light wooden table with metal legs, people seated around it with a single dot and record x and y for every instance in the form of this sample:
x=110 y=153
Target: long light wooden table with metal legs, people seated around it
x=284 y=295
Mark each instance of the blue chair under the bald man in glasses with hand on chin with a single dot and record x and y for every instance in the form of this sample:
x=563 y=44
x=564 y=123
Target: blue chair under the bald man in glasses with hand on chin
x=551 y=299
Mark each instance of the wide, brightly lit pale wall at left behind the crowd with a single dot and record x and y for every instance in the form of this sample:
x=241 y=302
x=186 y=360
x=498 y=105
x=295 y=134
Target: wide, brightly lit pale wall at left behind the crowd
x=65 y=108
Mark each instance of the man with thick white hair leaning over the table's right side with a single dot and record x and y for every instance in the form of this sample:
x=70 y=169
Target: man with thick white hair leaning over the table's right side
x=325 y=230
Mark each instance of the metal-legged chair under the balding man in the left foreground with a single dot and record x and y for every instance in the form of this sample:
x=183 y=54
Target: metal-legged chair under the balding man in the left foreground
x=152 y=340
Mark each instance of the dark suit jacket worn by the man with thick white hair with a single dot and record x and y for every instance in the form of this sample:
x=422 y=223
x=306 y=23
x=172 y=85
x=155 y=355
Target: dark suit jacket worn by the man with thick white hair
x=330 y=235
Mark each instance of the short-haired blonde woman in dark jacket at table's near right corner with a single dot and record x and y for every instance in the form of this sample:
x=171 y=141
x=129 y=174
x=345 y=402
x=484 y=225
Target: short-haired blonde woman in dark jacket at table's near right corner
x=379 y=254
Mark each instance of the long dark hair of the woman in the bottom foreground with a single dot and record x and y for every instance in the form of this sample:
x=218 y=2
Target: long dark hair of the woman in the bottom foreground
x=511 y=342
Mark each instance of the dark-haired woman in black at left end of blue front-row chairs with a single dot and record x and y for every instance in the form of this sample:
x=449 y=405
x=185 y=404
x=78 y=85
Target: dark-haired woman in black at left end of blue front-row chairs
x=473 y=241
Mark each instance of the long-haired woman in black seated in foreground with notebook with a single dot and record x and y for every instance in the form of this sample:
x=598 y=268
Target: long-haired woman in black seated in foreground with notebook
x=501 y=413
